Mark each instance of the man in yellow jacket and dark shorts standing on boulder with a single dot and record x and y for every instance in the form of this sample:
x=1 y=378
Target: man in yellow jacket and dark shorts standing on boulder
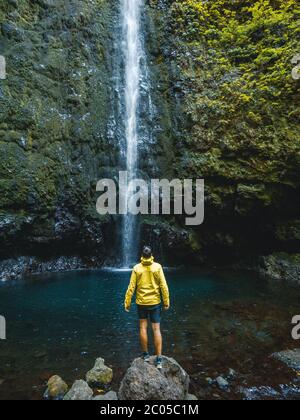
x=149 y=282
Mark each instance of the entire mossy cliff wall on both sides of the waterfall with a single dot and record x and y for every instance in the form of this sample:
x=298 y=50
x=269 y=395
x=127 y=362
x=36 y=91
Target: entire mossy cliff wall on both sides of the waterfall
x=227 y=110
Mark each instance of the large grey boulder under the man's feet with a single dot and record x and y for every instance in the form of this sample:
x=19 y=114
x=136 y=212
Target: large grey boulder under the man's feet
x=143 y=381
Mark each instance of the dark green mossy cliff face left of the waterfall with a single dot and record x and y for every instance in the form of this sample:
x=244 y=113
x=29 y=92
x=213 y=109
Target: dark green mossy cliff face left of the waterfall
x=53 y=126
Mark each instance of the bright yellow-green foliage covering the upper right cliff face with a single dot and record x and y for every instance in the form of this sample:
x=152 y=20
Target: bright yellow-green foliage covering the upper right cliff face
x=243 y=103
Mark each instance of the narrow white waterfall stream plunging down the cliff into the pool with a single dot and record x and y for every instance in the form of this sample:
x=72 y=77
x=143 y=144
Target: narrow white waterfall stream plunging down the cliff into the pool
x=132 y=53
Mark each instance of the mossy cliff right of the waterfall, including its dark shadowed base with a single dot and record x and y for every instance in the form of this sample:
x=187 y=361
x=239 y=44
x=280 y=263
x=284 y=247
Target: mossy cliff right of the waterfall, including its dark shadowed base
x=236 y=122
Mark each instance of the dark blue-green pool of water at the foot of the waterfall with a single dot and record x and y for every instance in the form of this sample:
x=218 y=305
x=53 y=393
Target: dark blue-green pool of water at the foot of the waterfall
x=60 y=323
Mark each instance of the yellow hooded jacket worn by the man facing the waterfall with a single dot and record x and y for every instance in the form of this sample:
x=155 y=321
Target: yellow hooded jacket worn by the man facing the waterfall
x=148 y=280
